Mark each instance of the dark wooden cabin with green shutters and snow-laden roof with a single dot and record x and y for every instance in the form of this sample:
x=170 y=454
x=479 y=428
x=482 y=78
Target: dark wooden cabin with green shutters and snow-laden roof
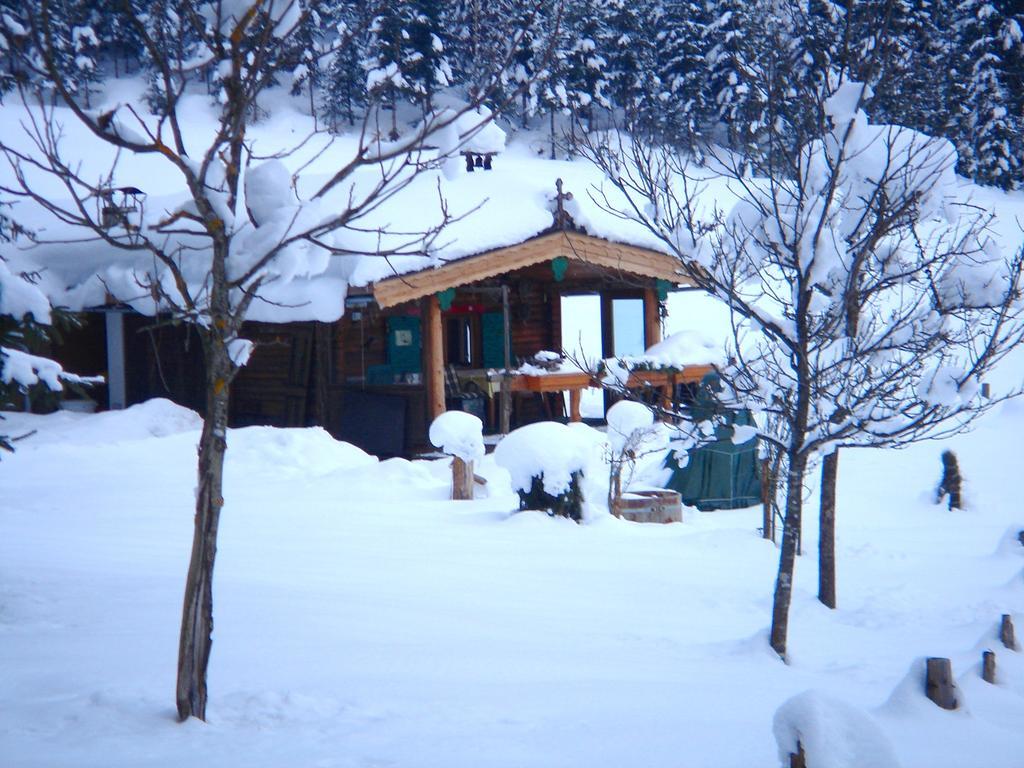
x=373 y=349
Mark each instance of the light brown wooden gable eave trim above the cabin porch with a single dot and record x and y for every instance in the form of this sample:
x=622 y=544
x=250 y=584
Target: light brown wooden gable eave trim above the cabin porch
x=574 y=246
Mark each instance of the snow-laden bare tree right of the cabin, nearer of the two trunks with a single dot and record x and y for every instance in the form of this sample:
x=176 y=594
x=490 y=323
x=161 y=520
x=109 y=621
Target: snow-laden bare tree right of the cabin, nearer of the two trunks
x=868 y=301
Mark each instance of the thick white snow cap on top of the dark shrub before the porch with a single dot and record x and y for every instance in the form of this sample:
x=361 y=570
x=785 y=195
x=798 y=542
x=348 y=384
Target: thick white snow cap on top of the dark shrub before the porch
x=547 y=449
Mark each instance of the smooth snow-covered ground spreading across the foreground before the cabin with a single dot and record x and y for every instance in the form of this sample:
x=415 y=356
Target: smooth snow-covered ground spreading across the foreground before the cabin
x=362 y=620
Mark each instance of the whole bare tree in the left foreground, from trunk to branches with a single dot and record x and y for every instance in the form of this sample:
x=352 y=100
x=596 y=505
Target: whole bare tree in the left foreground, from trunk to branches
x=212 y=257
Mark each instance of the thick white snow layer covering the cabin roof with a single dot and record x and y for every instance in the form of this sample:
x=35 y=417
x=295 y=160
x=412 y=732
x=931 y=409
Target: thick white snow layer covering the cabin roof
x=492 y=209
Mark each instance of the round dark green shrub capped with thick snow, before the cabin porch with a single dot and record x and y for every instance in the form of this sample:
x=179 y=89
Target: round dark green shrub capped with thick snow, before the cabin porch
x=547 y=462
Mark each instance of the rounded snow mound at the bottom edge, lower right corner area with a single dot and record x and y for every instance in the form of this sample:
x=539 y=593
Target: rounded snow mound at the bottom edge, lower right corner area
x=834 y=734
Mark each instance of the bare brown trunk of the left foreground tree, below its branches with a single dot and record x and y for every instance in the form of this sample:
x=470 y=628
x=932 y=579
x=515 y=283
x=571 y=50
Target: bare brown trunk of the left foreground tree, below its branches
x=197 y=615
